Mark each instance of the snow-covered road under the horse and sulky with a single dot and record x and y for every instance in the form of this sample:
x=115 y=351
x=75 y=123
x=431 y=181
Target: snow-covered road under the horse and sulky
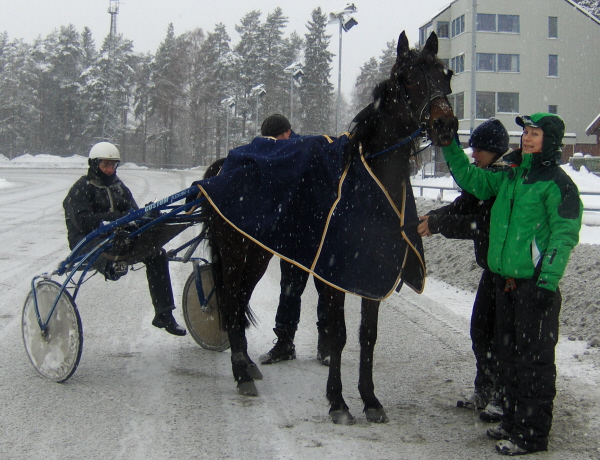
x=140 y=393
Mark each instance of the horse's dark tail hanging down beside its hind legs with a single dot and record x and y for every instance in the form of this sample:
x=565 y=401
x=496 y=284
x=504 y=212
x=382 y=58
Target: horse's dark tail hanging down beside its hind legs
x=210 y=219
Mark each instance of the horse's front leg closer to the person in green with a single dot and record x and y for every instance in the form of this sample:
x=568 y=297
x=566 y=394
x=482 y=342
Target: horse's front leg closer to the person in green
x=367 y=339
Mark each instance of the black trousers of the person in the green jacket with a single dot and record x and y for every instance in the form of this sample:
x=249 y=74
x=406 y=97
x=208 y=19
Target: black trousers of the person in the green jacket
x=527 y=335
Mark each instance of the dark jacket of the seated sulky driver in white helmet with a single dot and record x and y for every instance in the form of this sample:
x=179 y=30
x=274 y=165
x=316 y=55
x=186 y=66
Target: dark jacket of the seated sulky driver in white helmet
x=92 y=201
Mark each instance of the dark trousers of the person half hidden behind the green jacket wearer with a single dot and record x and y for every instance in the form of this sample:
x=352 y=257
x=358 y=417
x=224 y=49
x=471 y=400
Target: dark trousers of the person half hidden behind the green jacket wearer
x=483 y=320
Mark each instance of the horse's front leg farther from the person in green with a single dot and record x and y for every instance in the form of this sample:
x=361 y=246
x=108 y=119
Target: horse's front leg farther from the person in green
x=339 y=411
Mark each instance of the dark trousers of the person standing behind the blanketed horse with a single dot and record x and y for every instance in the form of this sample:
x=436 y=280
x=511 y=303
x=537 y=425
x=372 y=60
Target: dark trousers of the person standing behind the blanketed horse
x=293 y=283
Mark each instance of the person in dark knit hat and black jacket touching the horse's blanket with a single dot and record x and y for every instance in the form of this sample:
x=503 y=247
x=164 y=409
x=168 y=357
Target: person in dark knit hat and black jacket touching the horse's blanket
x=467 y=217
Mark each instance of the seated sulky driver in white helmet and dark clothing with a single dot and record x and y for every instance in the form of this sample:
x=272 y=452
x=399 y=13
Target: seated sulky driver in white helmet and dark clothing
x=101 y=196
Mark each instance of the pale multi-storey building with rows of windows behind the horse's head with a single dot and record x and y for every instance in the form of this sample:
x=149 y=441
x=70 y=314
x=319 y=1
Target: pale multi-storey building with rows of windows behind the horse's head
x=529 y=56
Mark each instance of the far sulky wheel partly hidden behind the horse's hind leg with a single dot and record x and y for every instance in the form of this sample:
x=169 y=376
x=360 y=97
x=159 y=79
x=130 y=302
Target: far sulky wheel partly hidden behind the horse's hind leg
x=204 y=323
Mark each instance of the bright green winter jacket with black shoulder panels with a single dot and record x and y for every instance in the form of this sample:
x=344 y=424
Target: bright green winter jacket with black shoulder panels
x=536 y=218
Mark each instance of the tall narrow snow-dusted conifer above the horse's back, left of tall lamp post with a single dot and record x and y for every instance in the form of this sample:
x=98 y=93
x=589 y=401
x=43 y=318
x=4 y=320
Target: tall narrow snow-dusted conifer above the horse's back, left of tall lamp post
x=317 y=91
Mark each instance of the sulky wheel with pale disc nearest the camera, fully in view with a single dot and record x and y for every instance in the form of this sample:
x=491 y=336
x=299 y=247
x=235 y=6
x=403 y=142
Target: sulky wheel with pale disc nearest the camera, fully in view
x=55 y=352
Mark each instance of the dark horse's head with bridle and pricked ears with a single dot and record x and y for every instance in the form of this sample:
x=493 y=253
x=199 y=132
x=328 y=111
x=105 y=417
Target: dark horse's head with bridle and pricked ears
x=424 y=84
